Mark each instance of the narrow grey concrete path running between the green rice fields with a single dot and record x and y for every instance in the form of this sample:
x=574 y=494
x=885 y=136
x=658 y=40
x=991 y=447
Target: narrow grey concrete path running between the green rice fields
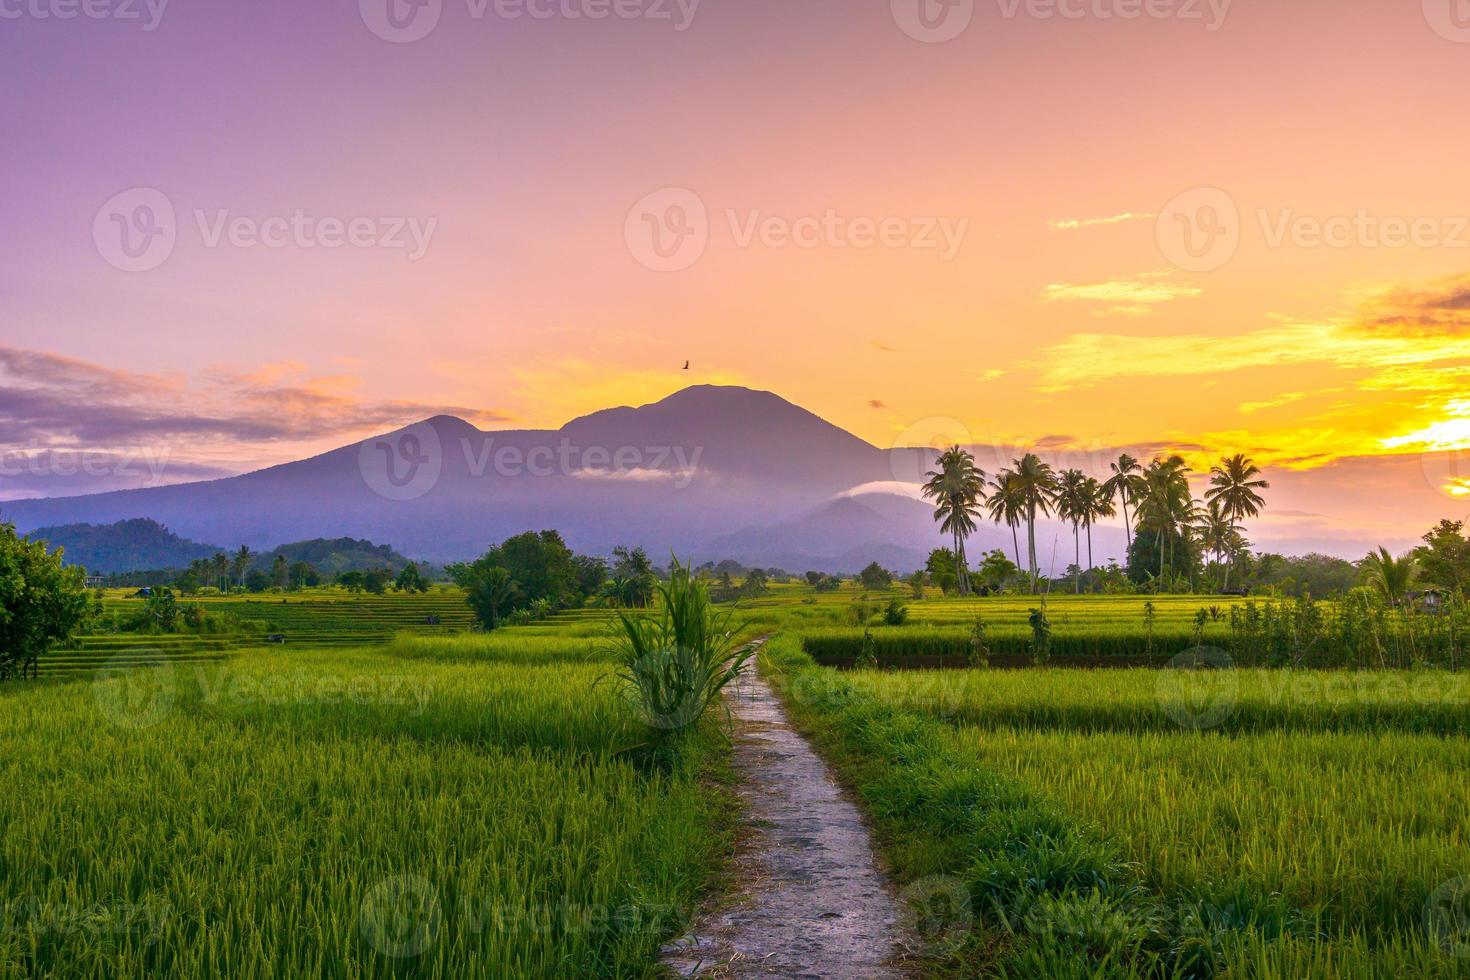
x=812 y=901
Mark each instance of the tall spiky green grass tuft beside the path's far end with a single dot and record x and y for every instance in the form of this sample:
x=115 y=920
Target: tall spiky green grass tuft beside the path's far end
x=677 y=663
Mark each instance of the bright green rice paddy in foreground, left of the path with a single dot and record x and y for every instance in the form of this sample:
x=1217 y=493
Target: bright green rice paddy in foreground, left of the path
x=476 y=809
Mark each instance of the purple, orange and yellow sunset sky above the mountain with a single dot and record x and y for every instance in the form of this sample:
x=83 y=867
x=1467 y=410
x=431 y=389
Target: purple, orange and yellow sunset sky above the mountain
x=237 y=234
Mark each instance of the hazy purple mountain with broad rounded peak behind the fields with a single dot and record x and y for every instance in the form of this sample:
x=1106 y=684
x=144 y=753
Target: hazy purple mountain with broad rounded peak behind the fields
x=673 y=477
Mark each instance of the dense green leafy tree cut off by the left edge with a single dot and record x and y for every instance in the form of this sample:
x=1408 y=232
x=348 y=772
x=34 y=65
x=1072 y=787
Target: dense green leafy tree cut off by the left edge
x=42 y=603
